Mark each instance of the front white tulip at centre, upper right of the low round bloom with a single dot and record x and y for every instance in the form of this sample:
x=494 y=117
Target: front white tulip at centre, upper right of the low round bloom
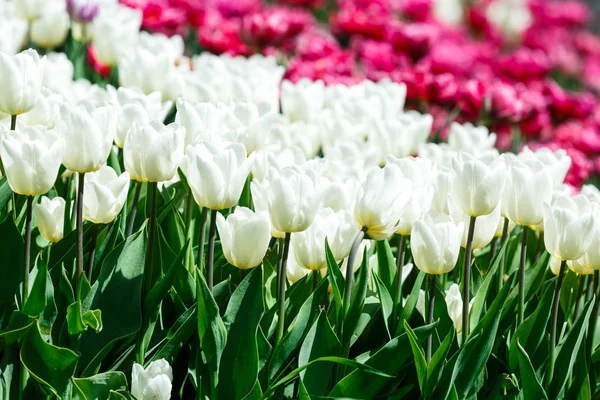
x=292 y=199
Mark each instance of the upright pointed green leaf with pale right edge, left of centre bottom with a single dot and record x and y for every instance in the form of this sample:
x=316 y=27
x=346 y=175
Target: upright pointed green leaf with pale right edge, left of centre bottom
x=211 y=329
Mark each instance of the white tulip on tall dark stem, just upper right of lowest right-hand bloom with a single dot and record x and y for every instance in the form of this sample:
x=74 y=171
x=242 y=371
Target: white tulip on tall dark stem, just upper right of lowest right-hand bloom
x=478 y=183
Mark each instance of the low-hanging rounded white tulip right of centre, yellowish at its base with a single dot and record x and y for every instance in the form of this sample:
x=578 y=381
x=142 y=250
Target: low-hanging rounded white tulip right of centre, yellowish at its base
x=435 y=243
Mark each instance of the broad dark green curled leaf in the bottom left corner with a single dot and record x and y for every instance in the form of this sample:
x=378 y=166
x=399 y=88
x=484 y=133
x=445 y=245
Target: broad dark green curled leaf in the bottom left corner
x=50 y=365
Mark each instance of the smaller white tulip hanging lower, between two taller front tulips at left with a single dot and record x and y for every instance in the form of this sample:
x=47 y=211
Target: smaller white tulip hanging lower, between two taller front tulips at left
x=105 y=195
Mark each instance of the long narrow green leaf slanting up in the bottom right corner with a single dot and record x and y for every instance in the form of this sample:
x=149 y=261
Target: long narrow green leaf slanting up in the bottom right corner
x=567 y=354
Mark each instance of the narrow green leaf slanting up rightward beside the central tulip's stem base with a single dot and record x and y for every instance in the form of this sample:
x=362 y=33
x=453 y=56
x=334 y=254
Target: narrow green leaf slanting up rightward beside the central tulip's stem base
x=292 y=338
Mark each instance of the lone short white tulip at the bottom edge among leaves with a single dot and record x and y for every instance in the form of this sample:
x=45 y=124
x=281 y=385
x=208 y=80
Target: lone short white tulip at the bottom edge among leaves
x=151 y=383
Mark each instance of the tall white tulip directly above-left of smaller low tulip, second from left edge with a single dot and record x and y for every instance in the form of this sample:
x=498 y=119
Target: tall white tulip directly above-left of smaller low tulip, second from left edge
x=88 y=135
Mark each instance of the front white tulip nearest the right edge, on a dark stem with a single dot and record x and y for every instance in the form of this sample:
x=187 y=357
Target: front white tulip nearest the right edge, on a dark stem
x=568 y=228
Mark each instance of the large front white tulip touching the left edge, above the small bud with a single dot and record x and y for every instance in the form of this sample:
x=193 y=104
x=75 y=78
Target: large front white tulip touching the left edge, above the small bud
x=31 y=159
